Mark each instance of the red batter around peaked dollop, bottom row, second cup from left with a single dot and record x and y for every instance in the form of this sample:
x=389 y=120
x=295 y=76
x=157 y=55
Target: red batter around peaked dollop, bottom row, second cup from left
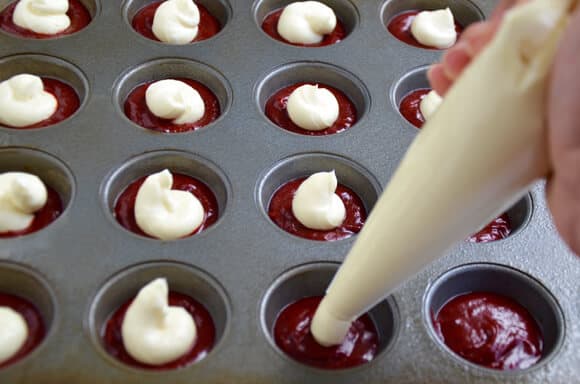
x=113 y=339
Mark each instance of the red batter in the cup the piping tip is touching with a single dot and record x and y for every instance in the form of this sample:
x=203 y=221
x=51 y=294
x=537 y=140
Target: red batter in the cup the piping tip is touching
x=292 y=335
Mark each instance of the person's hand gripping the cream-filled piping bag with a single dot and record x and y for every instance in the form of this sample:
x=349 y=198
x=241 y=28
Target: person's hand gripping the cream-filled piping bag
x=562 y=106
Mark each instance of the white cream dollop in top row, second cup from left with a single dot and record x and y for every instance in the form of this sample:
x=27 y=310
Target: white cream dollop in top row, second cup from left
x=176 y=21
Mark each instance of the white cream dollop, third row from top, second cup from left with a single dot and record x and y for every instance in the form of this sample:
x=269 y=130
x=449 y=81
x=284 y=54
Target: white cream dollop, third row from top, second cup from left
x=164 y=213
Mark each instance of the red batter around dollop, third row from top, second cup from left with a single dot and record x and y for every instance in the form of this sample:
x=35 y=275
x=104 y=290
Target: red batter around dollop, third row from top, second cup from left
x=125 y=204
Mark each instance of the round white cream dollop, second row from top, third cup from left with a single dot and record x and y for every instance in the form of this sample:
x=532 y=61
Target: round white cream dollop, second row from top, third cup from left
x=312 y=108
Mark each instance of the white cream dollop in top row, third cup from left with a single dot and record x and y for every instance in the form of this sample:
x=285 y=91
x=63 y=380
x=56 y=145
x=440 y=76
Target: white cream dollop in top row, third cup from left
x=306 y=22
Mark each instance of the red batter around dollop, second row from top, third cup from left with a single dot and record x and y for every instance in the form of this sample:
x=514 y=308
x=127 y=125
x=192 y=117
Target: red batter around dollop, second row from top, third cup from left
x=278 y=114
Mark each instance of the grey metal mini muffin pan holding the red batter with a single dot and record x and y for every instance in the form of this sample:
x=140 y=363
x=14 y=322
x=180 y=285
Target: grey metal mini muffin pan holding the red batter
x=244 y=269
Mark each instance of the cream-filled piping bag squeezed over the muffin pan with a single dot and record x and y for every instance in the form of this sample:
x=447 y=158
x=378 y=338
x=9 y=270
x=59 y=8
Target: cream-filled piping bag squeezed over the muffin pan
x=478 y=155
